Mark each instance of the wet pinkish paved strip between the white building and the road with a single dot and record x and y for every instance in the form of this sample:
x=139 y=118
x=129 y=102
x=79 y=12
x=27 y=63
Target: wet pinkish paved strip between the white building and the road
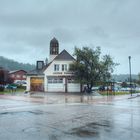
x=62 y=98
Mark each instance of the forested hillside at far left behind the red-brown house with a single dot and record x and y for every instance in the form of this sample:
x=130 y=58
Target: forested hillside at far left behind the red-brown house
x=9 y=64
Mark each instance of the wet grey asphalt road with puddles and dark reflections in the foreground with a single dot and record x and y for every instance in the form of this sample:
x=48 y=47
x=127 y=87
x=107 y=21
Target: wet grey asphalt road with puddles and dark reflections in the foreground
x=117 y=120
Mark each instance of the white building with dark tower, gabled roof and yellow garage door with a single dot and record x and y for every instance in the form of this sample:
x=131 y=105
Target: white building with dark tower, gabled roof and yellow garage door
x=54 y=76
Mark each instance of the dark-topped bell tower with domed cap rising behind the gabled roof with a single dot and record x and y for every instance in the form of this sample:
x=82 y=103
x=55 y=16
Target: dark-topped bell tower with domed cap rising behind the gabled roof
x=54 y=48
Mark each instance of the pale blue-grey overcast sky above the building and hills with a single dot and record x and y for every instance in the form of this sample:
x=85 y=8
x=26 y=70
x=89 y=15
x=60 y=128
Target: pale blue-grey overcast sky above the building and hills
x=27 y=26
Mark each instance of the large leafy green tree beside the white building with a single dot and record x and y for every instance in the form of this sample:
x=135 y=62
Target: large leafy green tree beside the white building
x=89 y=68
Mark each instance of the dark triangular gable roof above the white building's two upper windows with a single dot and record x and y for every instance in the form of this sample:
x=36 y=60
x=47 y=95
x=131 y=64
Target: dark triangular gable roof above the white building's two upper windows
x=64 y=55
